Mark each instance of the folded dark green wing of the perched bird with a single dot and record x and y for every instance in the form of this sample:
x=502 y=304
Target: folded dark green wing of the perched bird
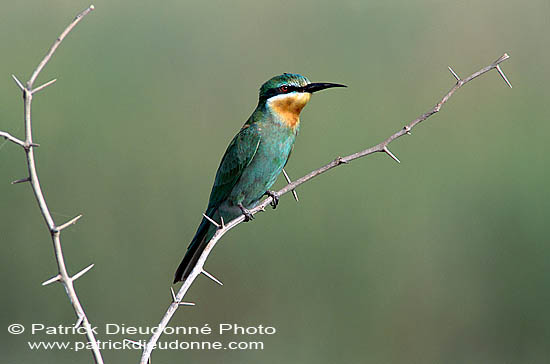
x=237 y=157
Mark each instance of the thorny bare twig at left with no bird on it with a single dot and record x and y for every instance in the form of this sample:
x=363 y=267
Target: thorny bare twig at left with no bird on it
x=63 y=276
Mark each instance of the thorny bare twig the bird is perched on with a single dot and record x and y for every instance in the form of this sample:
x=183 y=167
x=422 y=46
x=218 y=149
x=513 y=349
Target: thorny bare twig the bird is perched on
x=380 y=147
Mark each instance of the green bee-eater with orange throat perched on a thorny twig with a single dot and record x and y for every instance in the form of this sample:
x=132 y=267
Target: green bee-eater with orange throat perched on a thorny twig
x=254 y=158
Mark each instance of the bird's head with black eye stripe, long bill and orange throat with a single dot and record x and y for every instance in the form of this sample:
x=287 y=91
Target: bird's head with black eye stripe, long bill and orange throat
x=287 y=94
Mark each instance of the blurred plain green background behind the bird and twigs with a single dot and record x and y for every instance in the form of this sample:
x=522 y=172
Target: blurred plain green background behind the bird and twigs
x=444 y=258
